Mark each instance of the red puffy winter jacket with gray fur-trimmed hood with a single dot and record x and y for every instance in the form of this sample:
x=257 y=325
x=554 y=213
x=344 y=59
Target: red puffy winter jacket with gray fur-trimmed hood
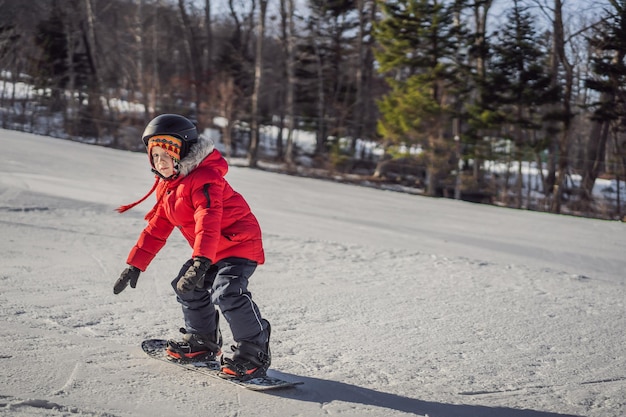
x=215 y=219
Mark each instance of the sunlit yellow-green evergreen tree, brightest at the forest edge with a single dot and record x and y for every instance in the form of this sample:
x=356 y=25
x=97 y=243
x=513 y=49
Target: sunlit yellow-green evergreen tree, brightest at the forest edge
x=419 y=47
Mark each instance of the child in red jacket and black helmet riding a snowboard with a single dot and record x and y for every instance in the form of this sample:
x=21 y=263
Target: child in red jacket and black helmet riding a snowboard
x=225 y=237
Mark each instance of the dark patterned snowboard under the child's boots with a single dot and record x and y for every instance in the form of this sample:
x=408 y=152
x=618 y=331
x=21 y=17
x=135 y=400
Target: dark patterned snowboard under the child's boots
x=155 y=348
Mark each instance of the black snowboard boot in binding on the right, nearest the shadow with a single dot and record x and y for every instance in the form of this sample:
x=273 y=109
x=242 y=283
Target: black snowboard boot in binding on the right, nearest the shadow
x=249 y=360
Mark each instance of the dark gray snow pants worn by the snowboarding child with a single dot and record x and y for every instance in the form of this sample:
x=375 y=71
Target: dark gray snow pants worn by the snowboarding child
x=225 y=286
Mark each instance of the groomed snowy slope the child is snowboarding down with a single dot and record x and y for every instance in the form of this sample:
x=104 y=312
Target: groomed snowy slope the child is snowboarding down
x=382 y=303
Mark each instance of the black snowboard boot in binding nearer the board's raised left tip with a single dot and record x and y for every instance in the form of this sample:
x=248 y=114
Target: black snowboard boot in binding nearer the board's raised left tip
x=196 y=346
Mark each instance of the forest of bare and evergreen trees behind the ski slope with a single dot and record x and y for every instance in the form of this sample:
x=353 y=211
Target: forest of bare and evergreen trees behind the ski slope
x=519 y=103
